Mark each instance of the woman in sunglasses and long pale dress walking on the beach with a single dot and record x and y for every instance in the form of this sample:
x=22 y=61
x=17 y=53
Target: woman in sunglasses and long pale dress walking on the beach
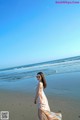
x=44 y=112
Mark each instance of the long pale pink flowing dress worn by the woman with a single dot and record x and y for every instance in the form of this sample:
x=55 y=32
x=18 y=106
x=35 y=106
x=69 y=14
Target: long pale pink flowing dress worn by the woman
x=43 y=106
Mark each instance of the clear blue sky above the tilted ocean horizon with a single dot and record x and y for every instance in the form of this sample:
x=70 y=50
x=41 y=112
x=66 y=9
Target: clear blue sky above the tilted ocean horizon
x=36 y=31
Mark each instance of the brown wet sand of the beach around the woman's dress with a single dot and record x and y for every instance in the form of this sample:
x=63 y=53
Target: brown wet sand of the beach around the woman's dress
x=21 y=106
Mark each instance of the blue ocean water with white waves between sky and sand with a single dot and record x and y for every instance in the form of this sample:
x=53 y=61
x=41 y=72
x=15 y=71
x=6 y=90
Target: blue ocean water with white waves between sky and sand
x=63 y=76
